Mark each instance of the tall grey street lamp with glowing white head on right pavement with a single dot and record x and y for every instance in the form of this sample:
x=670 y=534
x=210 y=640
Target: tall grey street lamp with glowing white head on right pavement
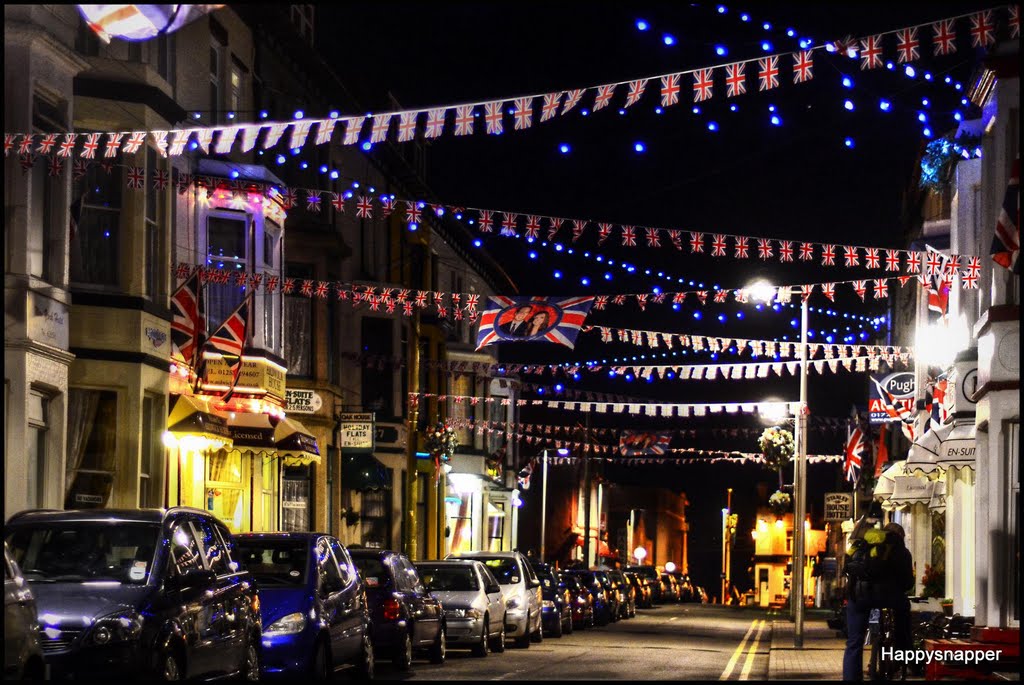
x=764 y=291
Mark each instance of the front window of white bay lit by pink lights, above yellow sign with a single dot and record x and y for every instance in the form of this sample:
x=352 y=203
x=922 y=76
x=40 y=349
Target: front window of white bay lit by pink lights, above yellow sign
x=226 y=250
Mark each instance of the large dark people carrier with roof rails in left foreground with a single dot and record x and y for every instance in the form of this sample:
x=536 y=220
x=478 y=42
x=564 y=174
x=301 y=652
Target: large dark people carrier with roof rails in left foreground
x=130 y=594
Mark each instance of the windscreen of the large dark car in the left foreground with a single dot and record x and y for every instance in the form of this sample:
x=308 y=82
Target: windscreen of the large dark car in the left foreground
x=86 y=551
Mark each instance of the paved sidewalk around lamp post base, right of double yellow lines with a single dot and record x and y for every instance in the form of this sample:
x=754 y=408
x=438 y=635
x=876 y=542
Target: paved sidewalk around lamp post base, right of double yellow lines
x=822 y=658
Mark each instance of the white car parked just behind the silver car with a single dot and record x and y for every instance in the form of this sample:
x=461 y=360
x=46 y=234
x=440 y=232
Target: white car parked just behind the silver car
x=523 y=593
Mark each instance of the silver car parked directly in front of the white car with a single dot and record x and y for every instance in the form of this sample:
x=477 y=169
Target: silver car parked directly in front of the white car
x=473 y=601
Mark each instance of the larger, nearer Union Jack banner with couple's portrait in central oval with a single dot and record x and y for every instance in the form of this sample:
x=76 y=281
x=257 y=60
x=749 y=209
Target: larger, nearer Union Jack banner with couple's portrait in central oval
x=533 y=320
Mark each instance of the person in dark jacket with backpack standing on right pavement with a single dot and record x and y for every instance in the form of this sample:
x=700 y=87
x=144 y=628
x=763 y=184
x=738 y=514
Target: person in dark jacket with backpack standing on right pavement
x=884 y=585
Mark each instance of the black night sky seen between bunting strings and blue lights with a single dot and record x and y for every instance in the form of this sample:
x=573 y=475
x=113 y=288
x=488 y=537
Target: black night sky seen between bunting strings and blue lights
x=797 y=181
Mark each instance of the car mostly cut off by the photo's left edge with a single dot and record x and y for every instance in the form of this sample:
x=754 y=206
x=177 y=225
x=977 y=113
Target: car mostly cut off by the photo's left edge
x=23 y=657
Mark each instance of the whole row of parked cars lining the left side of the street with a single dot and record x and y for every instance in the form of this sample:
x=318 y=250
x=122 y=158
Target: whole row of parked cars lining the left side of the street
x=174 y=595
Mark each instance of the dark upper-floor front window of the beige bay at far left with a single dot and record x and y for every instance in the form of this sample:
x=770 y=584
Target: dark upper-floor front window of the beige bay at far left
x=96 y=234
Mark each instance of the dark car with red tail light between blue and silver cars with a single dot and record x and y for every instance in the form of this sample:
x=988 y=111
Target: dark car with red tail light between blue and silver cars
x=405 y=617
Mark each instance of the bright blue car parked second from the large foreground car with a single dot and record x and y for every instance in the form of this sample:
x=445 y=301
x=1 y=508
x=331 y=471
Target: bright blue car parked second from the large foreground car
x=314 y=605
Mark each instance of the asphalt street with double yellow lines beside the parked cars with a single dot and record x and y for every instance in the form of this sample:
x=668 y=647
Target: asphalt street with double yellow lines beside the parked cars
x=669 y=643
